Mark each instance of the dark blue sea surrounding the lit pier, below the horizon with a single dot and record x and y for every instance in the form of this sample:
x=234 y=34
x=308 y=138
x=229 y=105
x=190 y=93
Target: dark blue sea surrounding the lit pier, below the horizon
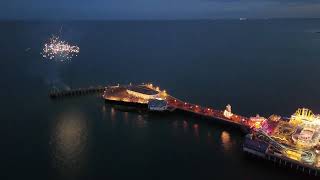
x=263 y=66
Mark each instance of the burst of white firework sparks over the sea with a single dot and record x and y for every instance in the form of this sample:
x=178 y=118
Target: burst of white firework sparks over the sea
x=59 y=50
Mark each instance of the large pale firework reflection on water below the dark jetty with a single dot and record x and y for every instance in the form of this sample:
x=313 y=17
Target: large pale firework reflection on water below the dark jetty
x=69 y=140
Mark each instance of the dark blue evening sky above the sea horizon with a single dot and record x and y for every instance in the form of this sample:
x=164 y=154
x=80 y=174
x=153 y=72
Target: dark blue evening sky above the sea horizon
x=156 y=9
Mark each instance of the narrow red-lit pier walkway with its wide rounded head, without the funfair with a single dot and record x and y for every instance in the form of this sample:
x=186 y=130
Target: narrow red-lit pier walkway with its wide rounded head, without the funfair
x=158 y=100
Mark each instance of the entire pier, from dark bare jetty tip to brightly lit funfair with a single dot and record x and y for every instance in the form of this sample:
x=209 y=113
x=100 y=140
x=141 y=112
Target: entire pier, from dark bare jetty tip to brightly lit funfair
x=292 y=142
